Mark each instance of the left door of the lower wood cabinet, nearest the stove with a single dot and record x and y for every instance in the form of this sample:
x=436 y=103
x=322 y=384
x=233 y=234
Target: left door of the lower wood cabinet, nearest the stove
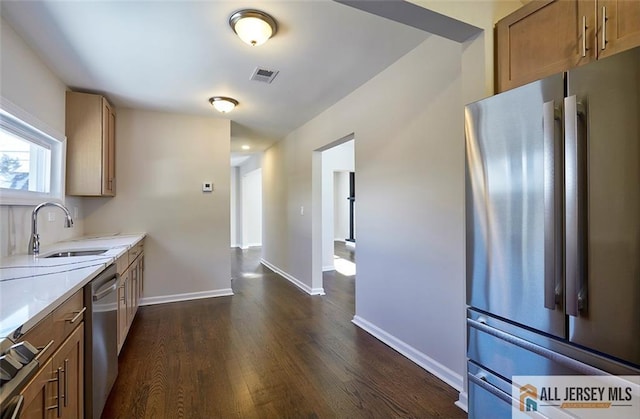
x=39 y=402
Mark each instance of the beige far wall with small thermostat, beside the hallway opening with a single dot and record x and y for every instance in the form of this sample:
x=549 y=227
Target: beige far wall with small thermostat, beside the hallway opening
x=161 y=161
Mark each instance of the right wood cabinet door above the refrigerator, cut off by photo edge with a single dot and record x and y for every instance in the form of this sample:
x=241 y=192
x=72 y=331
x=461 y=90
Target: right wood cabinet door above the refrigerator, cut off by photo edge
x=618 y=26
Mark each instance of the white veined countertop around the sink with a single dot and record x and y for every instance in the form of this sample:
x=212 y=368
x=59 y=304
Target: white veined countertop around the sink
x=32 y=287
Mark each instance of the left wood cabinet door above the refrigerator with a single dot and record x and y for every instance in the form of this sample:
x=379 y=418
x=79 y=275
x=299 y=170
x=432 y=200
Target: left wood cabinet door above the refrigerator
x=543 y=38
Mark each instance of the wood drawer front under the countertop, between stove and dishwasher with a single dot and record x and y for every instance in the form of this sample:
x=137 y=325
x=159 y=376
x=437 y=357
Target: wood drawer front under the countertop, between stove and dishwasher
x=58 y=325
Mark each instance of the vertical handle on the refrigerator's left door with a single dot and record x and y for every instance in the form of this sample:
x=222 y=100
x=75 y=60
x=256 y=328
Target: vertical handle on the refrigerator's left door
x=552 y=120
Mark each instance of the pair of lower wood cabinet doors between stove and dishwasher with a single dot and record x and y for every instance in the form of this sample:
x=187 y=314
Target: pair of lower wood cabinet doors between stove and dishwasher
x=57 y=390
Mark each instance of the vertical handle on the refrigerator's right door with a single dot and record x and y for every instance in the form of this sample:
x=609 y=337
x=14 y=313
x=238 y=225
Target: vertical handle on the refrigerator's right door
x=575 y=143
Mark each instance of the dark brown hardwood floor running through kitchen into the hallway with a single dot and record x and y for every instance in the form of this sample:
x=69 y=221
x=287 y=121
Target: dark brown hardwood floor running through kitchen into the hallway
x=270 y=351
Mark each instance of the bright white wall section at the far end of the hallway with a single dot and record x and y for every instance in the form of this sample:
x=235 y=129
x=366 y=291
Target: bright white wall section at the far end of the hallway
x=252 y=209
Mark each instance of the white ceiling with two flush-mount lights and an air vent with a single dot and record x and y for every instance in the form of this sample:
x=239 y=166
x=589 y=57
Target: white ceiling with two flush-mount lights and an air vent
x=173 y=55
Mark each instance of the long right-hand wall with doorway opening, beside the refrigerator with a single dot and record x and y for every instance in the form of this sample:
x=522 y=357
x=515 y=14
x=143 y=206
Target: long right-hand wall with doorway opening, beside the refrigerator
x=410 y=165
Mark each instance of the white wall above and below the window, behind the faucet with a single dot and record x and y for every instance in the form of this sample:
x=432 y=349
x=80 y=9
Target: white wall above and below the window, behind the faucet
x=27 y=82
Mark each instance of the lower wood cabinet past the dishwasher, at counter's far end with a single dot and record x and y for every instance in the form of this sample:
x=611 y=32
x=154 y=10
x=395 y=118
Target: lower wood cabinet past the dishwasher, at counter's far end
x=131 y=269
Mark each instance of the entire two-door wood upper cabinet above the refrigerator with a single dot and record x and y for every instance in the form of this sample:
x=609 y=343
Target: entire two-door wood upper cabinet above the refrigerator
x=546 y=37
